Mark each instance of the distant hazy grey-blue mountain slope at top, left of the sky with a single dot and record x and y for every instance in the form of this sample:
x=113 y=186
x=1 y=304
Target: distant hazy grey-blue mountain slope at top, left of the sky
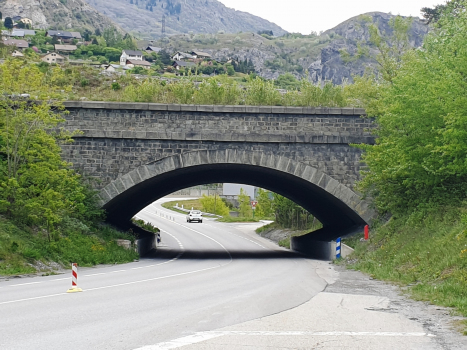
x=144 y=17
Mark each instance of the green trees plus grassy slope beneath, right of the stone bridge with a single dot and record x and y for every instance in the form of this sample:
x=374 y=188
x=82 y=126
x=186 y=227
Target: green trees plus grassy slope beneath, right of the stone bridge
x=416 y=172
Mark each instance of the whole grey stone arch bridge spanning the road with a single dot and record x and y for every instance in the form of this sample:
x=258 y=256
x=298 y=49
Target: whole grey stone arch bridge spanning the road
x=143 y=151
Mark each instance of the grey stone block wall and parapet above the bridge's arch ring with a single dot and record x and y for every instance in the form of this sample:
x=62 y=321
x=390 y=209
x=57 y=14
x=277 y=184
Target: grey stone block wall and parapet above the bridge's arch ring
x=120 y=137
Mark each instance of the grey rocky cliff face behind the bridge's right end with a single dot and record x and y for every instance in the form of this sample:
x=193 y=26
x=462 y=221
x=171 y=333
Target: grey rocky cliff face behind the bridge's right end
x=346 y=37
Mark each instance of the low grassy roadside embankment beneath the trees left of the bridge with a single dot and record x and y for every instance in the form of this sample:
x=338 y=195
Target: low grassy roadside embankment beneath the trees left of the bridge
x=21 y=249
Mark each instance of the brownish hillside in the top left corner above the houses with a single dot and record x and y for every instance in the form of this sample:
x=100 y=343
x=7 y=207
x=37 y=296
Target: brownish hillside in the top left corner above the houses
x=60 y=15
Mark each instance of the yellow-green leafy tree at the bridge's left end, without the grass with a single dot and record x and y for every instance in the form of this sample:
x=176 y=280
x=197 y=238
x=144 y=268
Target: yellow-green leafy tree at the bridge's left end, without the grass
x=37 y=187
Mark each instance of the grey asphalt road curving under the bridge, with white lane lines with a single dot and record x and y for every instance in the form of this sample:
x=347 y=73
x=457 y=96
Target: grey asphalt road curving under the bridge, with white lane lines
x=205 y=276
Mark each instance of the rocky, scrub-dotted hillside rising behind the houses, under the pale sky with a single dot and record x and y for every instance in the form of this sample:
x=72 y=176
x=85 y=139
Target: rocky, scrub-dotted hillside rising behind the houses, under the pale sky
x=319 y=55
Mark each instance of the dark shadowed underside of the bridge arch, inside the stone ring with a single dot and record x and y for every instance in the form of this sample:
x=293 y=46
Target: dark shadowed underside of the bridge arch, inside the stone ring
x=337 y=218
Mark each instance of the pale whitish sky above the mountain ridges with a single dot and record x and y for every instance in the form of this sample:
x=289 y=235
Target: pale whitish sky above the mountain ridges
x=304 y=16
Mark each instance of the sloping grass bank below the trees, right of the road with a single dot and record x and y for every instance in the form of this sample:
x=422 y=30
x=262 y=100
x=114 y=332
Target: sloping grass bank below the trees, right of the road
x=426 y=253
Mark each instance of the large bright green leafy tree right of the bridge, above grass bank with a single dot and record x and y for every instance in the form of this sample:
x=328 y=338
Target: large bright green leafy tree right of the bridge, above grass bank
x=420 y=154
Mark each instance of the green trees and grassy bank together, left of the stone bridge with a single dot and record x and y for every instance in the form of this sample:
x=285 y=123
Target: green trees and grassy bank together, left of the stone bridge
x=48 y=211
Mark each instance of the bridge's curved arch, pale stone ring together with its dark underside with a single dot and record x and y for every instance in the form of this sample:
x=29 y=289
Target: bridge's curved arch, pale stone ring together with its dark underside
x=339 y=209
